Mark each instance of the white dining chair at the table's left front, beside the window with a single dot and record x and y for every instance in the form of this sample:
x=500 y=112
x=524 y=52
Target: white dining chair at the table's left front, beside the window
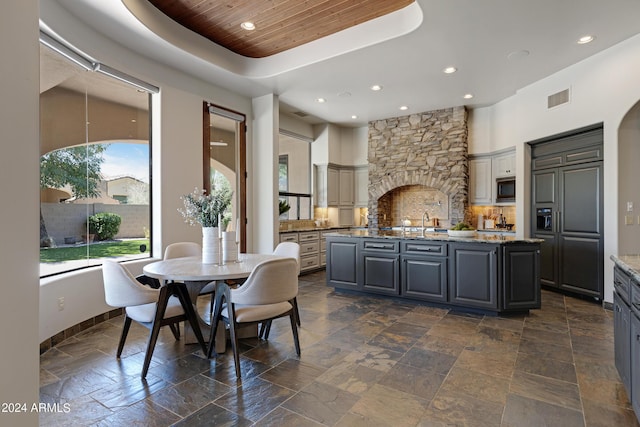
x=152 y=308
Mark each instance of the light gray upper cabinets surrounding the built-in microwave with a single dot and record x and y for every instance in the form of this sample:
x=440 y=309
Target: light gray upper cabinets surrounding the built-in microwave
x=483 y=172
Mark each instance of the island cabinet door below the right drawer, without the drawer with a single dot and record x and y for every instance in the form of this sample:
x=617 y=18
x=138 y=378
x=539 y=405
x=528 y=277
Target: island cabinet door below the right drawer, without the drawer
x=424 y=278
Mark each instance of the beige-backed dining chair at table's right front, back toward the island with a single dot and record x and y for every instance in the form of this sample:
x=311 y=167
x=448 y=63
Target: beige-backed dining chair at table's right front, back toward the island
x=267 y=294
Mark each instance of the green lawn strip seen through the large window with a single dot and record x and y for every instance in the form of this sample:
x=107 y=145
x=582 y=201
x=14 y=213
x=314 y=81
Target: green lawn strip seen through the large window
x=96 y=250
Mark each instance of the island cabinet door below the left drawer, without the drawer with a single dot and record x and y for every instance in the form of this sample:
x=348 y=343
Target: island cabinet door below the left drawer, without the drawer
x=380 y=273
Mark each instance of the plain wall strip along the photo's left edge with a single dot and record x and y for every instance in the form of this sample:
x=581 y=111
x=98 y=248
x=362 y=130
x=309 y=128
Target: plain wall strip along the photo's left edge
x=19 y=154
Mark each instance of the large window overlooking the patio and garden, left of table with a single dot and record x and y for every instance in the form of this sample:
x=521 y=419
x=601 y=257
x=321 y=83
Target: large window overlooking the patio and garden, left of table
x=94 y=165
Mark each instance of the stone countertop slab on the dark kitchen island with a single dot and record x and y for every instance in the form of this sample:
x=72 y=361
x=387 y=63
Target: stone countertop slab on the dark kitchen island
x=434 y=236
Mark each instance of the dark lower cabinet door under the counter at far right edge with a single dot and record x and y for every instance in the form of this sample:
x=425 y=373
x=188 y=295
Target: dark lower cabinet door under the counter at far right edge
x=622 y=340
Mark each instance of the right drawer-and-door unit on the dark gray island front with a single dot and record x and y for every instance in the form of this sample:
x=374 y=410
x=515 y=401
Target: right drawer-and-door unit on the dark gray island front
x=424 y=274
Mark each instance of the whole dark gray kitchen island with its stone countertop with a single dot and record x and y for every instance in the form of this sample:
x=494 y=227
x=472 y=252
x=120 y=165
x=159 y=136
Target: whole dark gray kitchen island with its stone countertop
x=488 y=273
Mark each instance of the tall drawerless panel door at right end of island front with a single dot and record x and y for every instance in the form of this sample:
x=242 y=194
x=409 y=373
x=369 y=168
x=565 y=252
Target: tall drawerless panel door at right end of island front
x=473 y=275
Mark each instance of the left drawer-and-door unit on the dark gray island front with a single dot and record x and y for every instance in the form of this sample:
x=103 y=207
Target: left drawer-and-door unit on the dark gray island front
x=379 y=266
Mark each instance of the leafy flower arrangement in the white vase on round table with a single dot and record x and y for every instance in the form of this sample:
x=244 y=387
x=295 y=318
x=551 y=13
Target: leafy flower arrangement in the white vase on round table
x=205 y=209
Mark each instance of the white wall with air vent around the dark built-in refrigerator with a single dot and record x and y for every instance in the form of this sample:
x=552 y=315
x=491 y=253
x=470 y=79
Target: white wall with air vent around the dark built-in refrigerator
x=603 y=89
